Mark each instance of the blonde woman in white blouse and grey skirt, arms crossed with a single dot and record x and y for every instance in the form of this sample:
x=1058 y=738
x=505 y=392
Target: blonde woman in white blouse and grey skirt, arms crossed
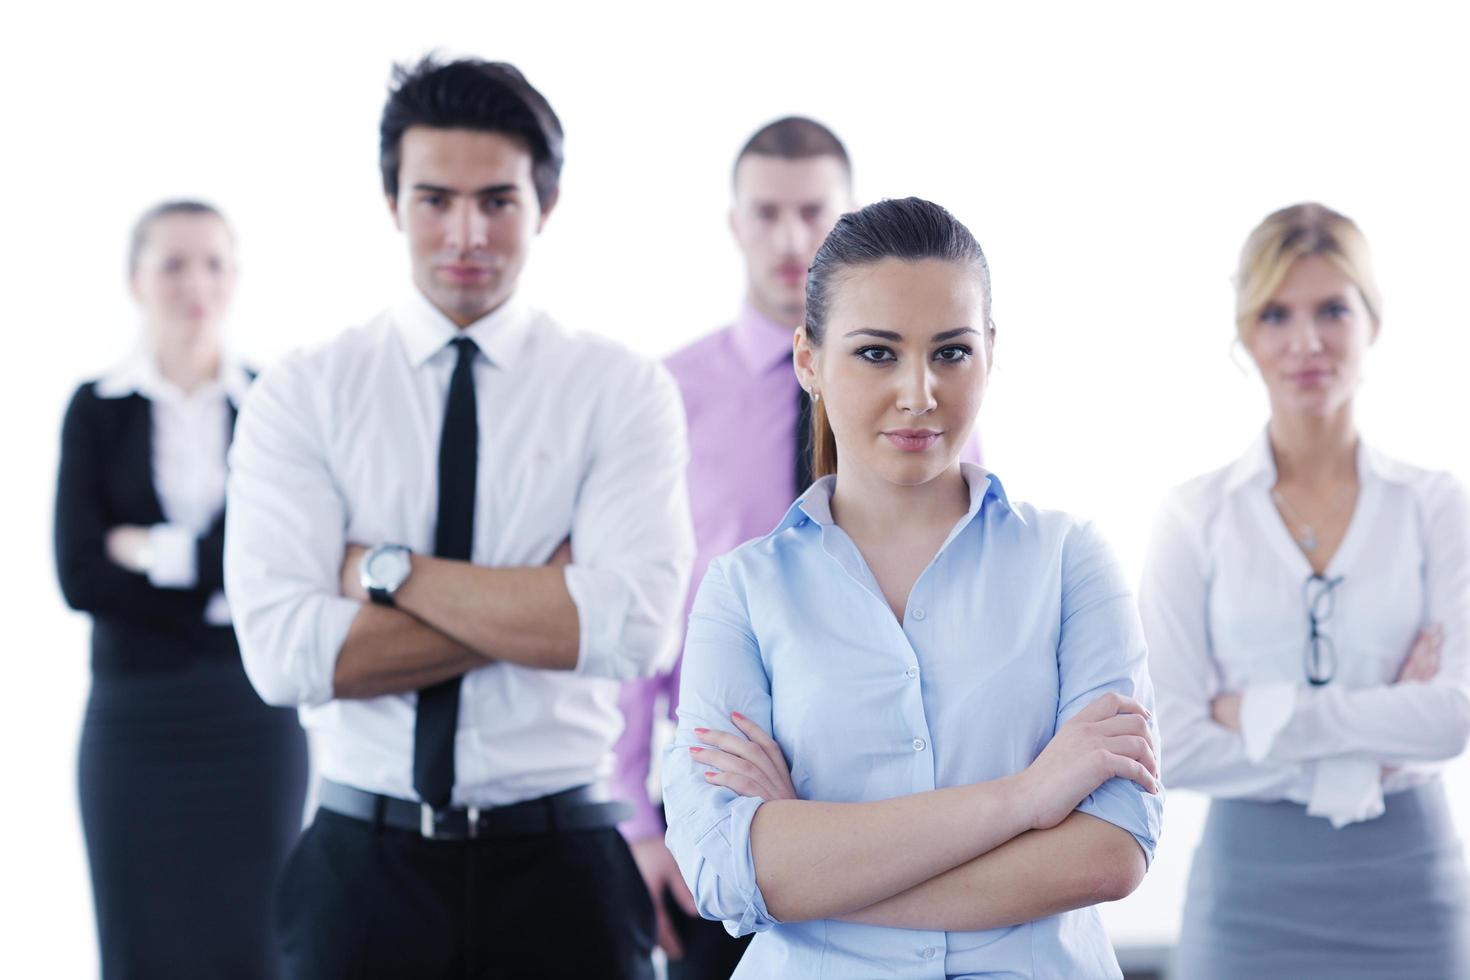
x=1308 y=610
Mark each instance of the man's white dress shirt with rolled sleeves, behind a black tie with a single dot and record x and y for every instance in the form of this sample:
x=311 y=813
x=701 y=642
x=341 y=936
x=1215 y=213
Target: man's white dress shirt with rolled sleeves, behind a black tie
x=340 y=446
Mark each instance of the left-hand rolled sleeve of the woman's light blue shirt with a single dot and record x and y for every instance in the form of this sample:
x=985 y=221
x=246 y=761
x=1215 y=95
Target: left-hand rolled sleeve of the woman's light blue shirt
x=709 y=826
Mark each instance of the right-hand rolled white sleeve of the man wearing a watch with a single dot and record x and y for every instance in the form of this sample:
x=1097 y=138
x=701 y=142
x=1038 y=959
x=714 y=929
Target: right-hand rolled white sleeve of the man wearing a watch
x=633 y=537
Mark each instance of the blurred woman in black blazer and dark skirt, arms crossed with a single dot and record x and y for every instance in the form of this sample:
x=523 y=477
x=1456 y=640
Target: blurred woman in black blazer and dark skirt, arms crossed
x=192 y=788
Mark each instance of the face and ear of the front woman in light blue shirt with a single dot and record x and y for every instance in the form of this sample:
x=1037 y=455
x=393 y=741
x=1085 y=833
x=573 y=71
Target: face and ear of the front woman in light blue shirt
x=903 y=367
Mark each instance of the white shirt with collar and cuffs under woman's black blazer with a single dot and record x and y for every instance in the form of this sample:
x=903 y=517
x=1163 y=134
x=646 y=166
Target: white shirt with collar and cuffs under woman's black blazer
x=190 y=440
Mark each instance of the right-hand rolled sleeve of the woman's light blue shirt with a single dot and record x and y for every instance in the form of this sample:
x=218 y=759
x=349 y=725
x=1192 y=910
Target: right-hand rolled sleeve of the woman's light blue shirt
x=1102 y=650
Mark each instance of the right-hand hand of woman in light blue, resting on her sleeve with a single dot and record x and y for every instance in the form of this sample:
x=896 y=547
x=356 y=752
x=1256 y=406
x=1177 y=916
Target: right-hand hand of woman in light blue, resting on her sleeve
x=1108 y=738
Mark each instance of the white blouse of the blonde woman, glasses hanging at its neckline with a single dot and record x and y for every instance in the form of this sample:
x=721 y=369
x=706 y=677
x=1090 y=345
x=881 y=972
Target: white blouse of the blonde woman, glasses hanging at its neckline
x=1225 y=610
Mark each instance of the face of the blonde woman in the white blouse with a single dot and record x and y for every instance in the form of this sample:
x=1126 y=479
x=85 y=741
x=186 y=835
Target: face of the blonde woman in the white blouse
x=1309 y=340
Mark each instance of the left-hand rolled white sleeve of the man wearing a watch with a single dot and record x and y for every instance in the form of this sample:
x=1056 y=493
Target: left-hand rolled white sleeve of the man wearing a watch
x=284 y=544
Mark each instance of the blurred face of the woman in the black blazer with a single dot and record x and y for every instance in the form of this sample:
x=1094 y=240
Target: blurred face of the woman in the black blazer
x=186 y=277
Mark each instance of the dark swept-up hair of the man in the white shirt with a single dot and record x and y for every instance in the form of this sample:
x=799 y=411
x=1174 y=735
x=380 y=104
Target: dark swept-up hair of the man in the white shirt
x=471 y=95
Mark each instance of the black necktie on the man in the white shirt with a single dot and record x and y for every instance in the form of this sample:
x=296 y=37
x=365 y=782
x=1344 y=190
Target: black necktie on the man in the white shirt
x=459 y=450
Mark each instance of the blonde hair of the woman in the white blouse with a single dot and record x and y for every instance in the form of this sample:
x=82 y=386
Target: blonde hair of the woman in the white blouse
x=1288 y=236
